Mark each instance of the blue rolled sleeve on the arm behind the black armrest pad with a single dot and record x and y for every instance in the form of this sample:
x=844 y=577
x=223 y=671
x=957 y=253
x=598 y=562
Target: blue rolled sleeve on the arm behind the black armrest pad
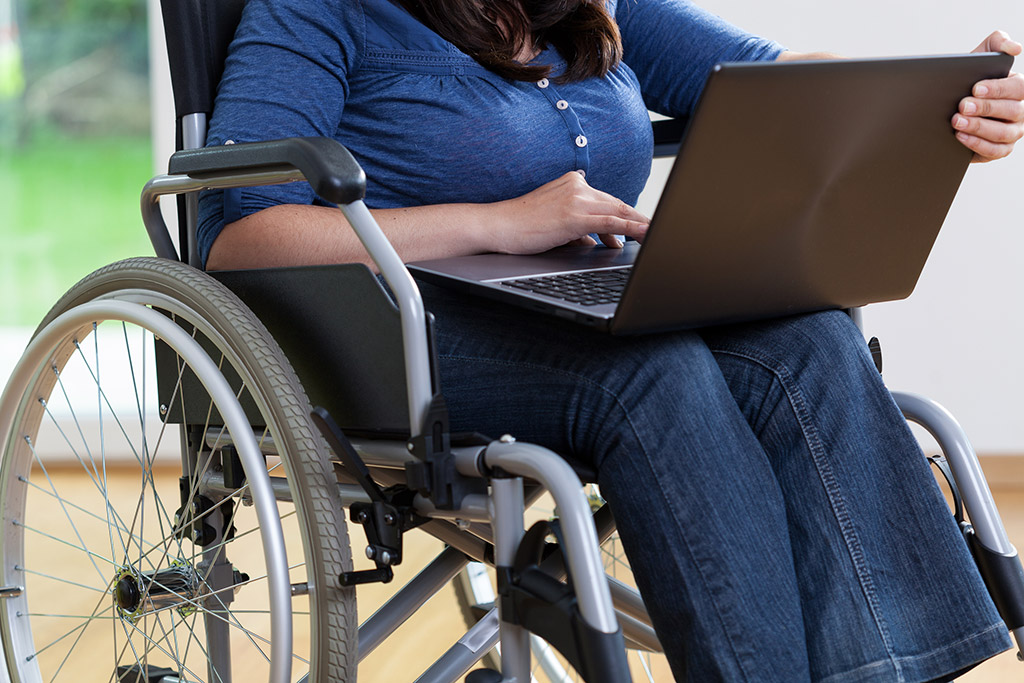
x=286 y=76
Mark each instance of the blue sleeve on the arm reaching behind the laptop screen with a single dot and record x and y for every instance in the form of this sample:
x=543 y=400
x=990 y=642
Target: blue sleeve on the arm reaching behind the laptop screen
x=672 y=46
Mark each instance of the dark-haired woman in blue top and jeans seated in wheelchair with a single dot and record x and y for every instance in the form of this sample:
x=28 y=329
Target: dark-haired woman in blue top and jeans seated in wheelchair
x=769 y=492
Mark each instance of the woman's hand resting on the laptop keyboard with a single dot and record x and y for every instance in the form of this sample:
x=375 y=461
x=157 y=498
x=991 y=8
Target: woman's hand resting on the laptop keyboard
x=564 y=211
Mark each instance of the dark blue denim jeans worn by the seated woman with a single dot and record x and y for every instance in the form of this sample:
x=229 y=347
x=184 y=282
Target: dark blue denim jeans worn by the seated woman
x=781 y=520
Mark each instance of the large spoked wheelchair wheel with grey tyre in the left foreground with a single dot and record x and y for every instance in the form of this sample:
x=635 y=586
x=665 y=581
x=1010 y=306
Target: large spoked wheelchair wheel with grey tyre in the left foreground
x=132 y=550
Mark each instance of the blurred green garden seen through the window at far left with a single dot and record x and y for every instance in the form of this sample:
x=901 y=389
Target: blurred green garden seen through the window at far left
x=75 y=145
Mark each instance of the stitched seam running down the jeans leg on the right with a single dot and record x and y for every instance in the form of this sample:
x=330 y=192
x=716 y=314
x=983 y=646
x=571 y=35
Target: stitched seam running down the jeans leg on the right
x=833 y=490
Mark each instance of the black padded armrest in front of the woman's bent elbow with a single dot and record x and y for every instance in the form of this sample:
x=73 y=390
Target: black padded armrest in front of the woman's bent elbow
x=329 y=167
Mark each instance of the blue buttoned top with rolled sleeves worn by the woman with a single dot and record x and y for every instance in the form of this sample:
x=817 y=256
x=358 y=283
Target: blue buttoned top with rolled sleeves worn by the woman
x=430 y=125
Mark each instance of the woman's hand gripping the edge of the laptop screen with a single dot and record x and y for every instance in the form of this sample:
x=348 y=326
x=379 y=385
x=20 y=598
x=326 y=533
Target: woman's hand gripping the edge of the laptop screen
x=992 y=120
